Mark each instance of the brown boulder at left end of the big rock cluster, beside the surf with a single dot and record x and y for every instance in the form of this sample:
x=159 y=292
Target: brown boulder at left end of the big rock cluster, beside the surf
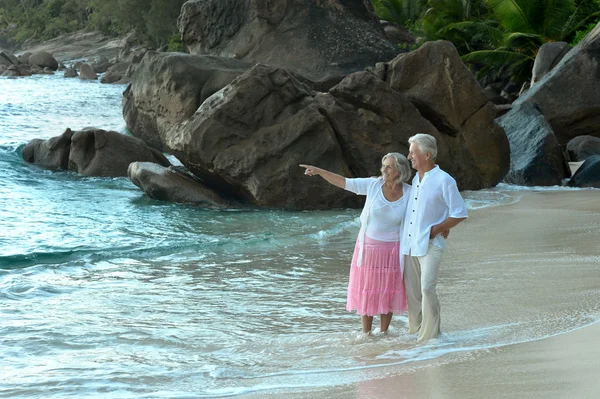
x=168 y=88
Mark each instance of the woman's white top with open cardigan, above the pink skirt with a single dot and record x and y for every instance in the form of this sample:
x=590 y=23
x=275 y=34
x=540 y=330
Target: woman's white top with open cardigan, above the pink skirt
x=370 y=218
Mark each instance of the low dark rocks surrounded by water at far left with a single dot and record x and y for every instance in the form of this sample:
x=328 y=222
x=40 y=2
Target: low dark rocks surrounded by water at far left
x=93 y=152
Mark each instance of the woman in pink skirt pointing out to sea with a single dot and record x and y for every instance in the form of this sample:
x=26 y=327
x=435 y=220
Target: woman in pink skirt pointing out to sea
x=376 y=285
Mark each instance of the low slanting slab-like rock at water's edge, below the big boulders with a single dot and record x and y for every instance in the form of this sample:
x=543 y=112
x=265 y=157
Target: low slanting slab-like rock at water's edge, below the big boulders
x=171 y=184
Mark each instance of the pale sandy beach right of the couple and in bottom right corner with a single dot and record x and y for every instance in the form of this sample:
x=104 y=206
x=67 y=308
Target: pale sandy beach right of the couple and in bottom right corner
x=540 y=254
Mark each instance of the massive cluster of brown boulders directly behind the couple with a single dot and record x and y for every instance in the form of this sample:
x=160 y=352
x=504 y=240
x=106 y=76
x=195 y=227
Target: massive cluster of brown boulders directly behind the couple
x=246 y=140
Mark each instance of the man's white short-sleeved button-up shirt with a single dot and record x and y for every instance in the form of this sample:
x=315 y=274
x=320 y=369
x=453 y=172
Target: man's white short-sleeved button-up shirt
x=432 y=200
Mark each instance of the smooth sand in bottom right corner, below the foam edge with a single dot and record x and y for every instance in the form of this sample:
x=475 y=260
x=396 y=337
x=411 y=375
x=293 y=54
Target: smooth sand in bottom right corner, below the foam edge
x=559 y=366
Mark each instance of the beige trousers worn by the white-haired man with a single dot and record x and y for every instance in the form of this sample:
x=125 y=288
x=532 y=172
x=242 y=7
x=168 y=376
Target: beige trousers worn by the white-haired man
x=420 y=278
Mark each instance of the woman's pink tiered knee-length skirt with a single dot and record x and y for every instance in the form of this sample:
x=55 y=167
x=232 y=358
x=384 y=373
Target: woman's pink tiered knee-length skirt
x=377 y=286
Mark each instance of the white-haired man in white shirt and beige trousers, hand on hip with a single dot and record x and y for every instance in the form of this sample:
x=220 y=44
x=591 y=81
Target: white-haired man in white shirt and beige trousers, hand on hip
x=435 y=205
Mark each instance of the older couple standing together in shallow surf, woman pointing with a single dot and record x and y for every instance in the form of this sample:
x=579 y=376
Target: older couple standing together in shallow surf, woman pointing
x=402 y=237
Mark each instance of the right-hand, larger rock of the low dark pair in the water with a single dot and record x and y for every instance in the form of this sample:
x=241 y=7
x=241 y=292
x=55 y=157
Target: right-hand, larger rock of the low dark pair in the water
x=97 y=152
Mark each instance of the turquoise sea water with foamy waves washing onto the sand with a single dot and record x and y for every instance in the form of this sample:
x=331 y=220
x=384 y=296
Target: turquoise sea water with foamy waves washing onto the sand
x=107 y=293
